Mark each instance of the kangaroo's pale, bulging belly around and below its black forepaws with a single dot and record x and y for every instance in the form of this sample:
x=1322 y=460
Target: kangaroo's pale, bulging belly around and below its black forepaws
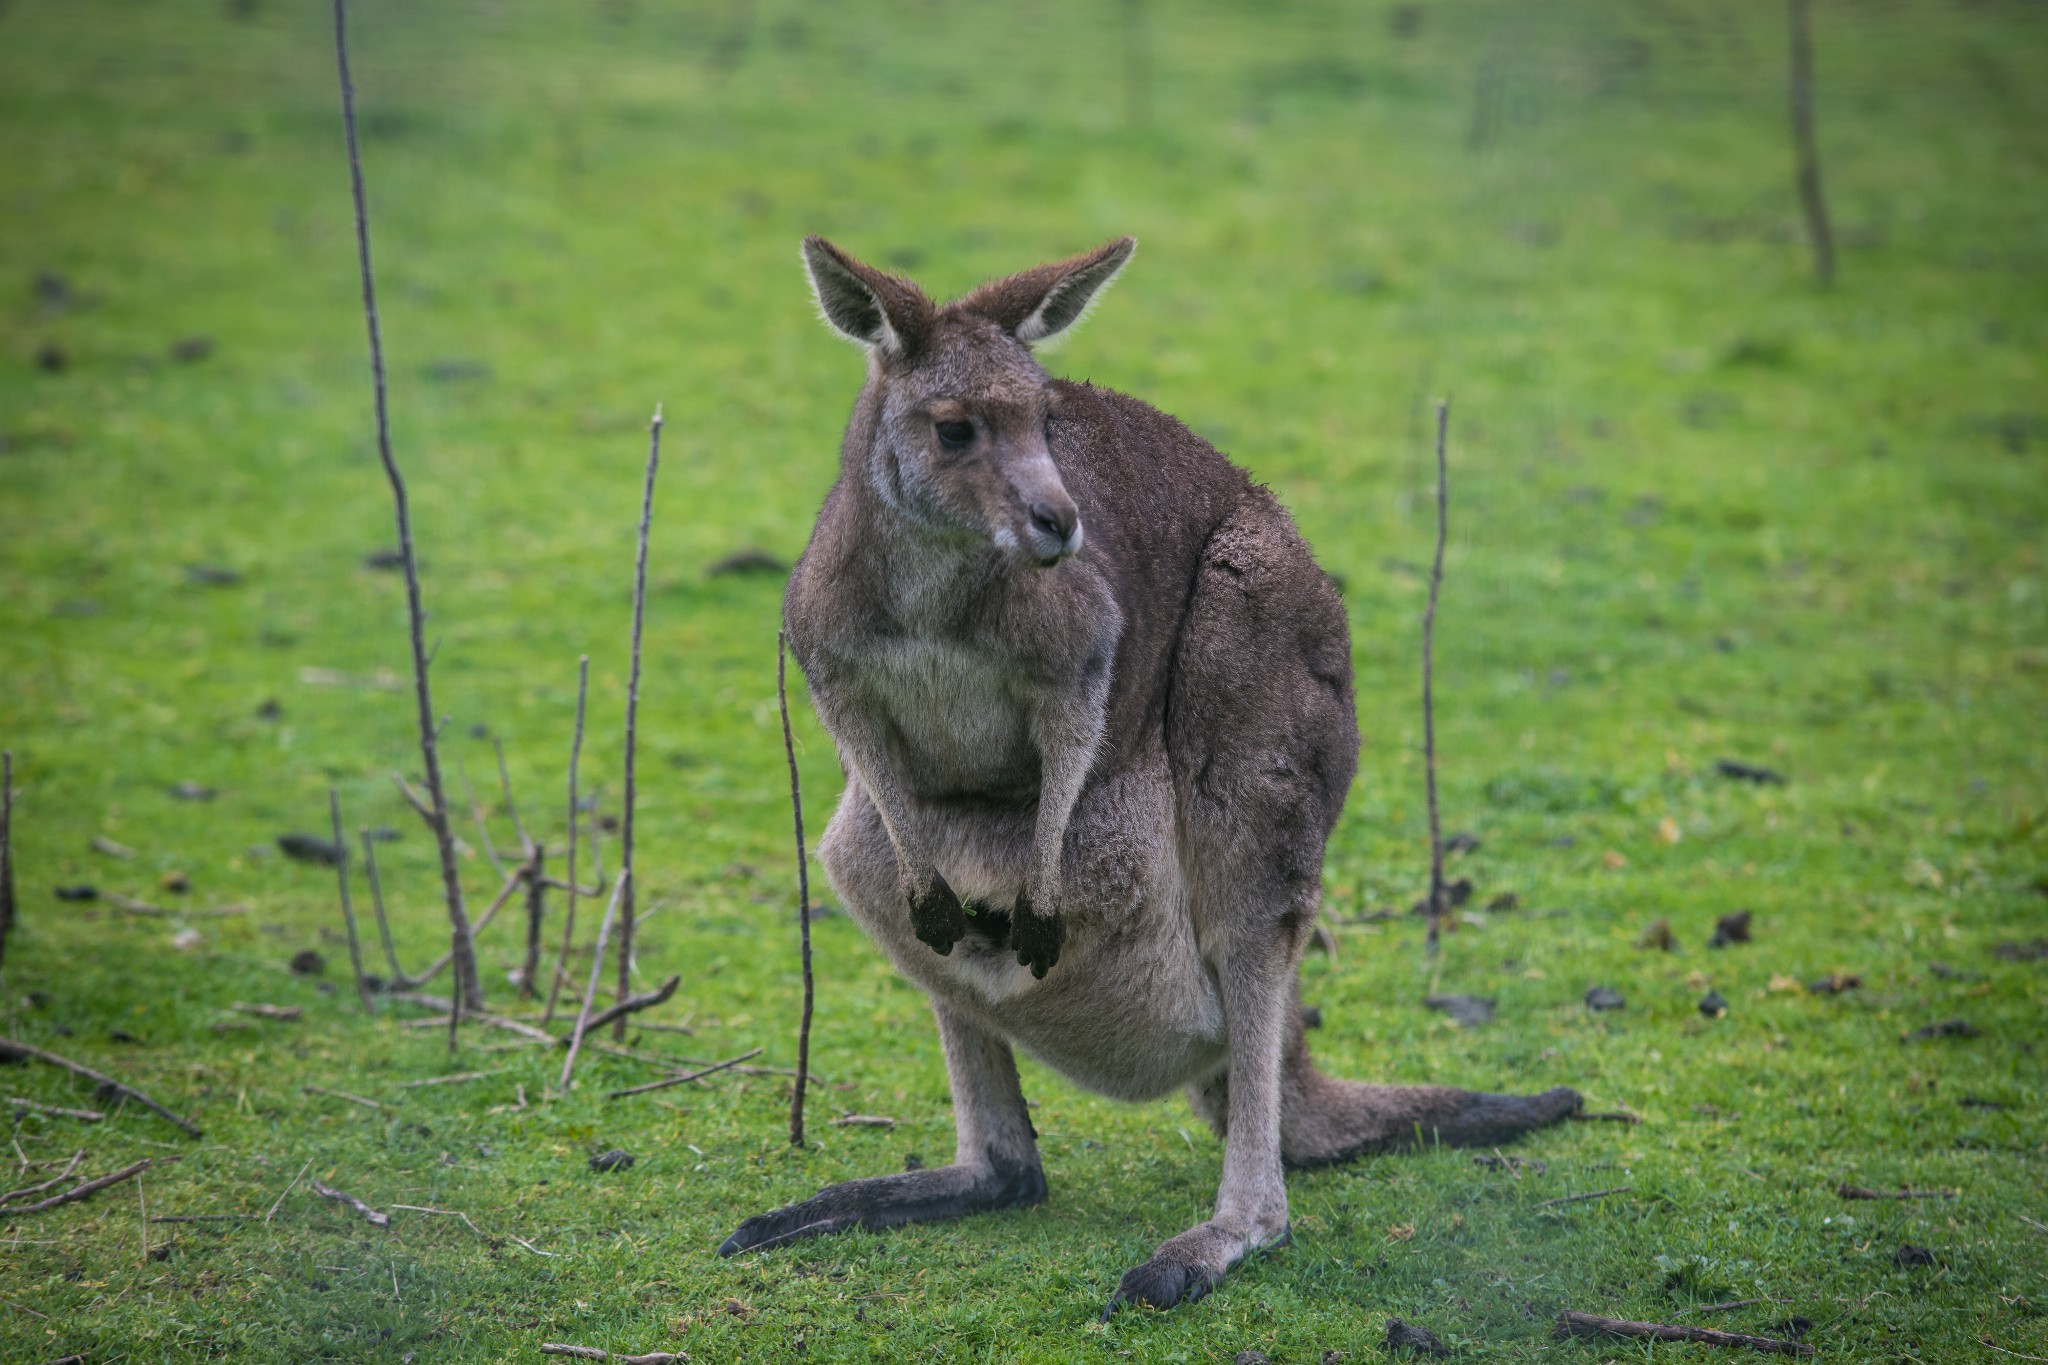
x=1132 y=1010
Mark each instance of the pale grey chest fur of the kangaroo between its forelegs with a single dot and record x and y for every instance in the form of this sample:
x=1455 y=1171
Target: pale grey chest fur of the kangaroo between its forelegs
x=957 y=719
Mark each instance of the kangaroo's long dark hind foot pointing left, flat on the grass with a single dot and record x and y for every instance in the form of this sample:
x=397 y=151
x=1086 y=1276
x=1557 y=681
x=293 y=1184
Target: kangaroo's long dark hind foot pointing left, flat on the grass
x=892 y=1200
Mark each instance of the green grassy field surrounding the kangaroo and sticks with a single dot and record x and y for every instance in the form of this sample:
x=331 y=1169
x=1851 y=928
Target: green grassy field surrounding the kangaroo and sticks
x=1701 y=511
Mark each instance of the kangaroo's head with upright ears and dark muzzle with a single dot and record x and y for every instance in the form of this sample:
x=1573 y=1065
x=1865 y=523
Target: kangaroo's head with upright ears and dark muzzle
x=951 y=429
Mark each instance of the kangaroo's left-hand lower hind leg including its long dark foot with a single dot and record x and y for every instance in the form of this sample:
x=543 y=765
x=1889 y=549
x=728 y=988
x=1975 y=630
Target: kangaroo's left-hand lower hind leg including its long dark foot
x=994 y=1168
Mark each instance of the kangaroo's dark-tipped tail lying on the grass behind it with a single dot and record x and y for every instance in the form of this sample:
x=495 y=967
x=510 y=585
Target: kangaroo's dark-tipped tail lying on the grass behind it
x=1334 y=1120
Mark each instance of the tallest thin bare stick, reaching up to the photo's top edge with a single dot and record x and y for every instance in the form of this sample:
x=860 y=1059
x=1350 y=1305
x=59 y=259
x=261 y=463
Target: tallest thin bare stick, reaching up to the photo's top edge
x=468 y=987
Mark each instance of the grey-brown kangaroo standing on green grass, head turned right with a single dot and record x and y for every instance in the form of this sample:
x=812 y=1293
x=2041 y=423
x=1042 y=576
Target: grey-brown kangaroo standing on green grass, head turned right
x=1095 y=707
